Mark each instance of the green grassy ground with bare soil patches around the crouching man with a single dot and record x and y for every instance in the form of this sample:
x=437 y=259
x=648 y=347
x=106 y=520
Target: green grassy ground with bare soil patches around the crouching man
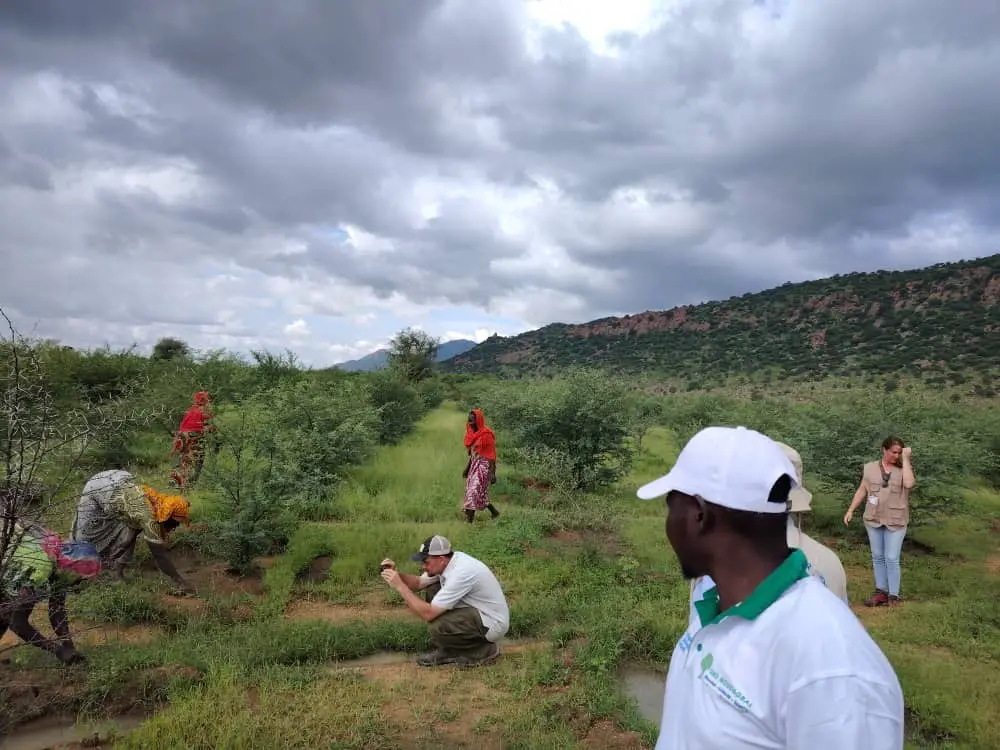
x=267 y=661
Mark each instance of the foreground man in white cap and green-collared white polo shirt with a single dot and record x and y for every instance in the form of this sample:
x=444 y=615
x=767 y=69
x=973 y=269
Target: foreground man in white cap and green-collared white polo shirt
x=771 y=658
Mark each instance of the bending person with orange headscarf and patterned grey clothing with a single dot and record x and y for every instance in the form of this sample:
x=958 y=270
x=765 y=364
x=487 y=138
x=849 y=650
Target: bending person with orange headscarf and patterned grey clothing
x=114 y=509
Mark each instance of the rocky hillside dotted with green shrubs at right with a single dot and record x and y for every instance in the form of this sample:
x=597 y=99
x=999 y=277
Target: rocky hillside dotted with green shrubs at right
x=941 y=322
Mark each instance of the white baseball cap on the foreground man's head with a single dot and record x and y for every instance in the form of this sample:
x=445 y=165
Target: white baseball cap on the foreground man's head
x=734 y=467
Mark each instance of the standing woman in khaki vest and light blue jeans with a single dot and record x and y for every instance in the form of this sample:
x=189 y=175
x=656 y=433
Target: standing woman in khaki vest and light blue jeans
x=886 y=485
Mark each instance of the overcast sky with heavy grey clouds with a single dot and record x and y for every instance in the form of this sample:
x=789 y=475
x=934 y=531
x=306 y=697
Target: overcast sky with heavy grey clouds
x=317 y=175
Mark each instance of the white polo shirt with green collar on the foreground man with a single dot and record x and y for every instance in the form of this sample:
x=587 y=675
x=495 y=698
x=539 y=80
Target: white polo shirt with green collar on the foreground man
x=790 y=667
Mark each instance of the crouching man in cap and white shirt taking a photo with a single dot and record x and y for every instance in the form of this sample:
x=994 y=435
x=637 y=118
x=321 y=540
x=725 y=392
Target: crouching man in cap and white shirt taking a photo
x=465 y=607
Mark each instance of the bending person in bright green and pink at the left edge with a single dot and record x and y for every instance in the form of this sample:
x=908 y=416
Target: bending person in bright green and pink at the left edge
x=42 y=567
